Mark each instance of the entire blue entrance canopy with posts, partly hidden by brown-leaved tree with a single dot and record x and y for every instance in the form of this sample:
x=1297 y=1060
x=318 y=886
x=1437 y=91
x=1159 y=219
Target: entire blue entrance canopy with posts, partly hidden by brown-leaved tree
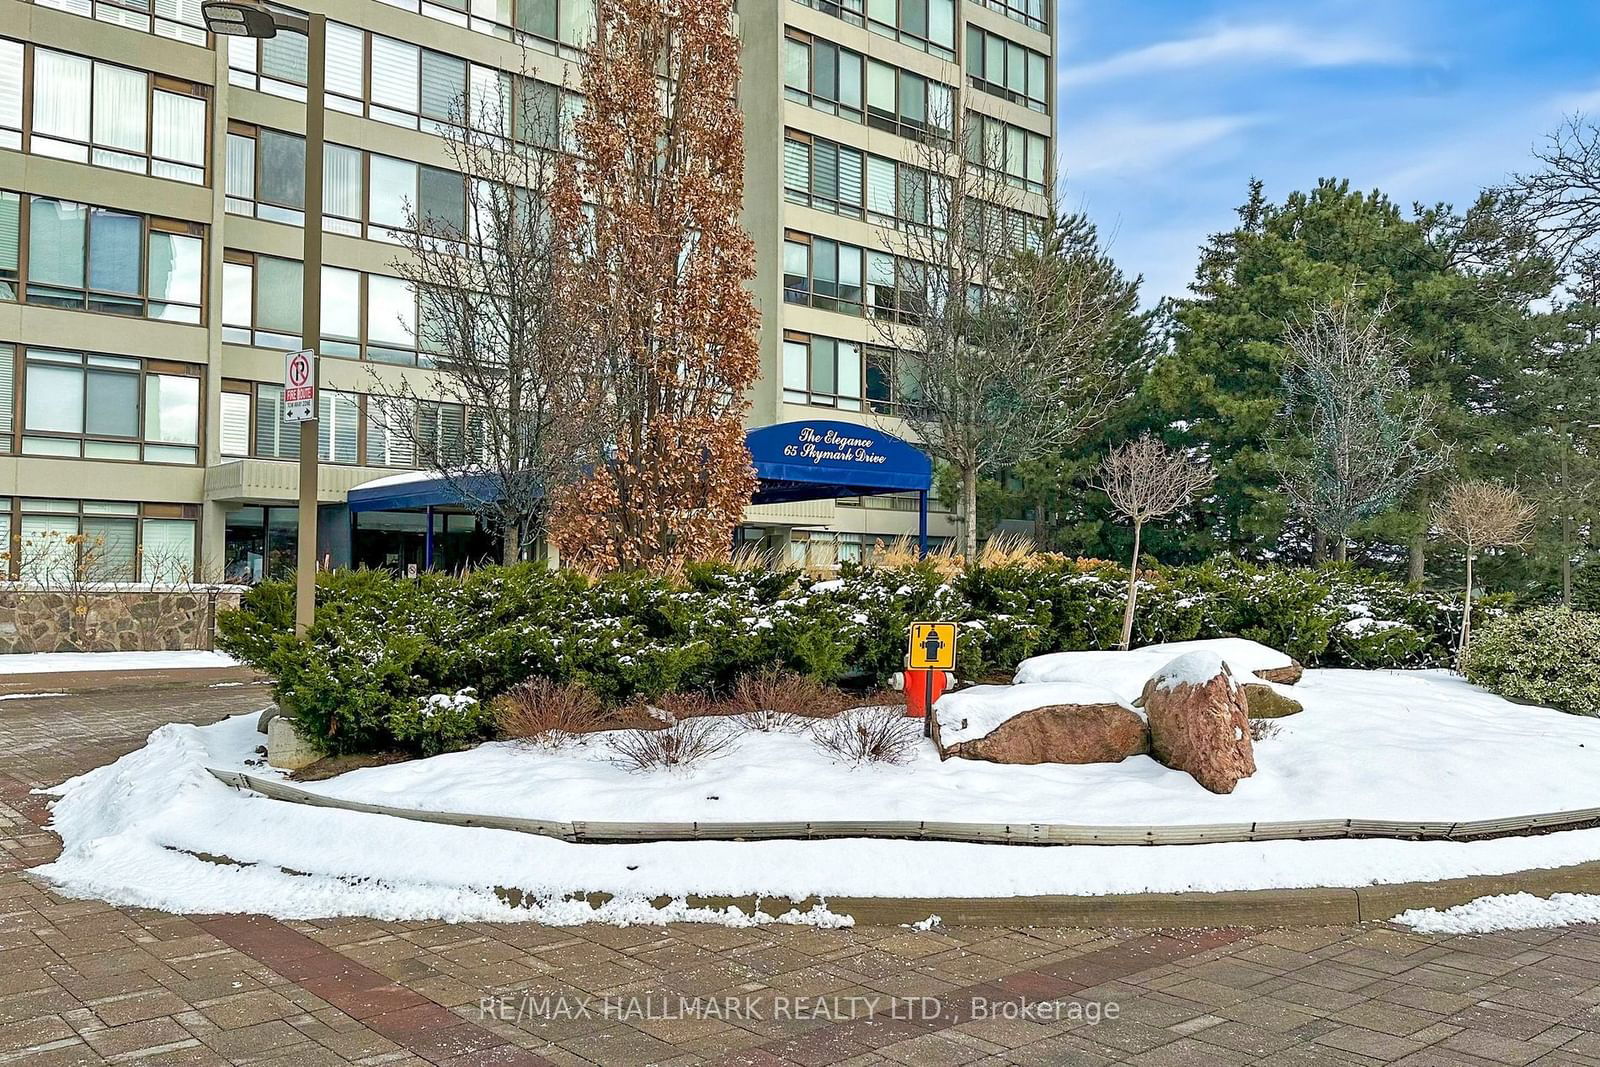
x=812 y=460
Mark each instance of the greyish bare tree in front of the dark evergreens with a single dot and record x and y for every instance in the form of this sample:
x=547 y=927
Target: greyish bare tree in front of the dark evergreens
x=1367 y=439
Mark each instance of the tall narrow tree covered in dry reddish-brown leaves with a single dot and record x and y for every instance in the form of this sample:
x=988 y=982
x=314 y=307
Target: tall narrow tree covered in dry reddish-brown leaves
x=663 y=326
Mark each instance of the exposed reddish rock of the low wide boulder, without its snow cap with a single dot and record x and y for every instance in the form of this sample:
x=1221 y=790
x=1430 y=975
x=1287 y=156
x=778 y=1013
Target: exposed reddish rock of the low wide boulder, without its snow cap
x=1063 y=733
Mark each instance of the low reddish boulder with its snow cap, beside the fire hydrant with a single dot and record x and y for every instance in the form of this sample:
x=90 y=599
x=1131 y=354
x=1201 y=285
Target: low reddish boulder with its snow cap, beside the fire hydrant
x=1038 y=724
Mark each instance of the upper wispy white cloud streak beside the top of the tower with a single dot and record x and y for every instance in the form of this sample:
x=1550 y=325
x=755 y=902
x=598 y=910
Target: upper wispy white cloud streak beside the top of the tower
x=1266 y=44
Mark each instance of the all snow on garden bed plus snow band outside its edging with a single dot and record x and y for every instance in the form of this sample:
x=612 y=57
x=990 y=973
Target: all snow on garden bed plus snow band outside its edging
x=1369 y=745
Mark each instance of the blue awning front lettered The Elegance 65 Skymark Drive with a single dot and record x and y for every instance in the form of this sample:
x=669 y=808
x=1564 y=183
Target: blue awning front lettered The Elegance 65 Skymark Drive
x=822 y=458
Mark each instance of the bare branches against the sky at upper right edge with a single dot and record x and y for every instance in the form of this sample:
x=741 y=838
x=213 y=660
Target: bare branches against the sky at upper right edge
x=1562 y=199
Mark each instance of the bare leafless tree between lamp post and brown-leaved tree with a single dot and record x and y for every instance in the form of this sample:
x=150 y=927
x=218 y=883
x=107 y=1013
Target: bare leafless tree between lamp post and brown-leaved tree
x=497 y=422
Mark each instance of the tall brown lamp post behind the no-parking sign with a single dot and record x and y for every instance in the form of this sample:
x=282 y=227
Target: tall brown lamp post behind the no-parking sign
x=249 y=18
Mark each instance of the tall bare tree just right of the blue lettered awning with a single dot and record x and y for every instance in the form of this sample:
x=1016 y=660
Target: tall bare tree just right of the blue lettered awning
x=998 y=310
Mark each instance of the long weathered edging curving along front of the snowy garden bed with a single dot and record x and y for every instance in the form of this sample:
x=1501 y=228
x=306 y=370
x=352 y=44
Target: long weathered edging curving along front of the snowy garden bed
x=585 y=833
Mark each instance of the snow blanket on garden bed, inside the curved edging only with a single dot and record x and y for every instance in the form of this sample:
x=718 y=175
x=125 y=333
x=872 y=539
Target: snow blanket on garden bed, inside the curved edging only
x=1369 y=746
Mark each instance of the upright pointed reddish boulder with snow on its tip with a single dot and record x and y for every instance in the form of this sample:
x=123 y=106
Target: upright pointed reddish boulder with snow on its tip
x=1199 y=721
